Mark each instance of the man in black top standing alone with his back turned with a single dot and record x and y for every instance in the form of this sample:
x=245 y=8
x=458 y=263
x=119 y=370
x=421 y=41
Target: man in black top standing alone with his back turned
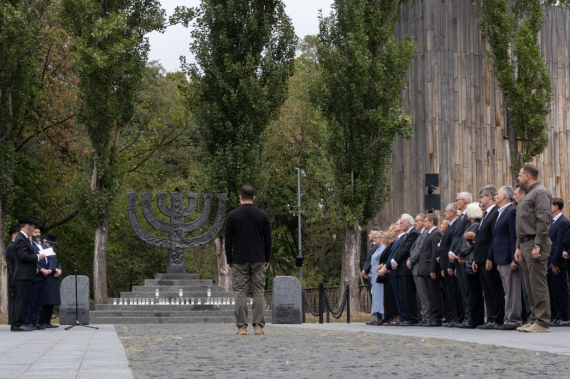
x=248 y=250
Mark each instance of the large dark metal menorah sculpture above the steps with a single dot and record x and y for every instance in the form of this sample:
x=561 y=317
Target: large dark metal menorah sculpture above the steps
x=176 y=241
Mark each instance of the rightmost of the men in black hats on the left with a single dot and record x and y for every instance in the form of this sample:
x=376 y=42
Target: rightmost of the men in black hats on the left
x=51 y=295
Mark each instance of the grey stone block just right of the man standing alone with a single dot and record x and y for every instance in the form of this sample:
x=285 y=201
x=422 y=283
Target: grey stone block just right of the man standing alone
x=287 y=300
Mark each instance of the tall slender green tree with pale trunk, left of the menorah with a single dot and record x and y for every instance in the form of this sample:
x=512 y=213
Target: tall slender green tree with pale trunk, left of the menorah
x=109 y=58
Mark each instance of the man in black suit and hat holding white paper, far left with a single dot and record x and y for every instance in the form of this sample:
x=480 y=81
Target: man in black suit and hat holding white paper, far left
x=24 y=273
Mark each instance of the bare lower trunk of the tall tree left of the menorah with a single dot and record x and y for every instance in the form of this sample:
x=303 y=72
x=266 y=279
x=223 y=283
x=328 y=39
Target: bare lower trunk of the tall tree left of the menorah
x=100 y=262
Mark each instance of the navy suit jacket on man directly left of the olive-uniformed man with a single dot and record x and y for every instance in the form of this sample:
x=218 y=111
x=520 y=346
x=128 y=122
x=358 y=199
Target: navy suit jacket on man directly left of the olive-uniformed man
x=505 y=237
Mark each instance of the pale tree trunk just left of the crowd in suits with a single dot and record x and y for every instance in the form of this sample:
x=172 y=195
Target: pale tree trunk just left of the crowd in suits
x=351 y=264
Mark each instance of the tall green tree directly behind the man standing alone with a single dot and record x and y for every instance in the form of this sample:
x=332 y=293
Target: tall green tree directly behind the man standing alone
x=244 y=53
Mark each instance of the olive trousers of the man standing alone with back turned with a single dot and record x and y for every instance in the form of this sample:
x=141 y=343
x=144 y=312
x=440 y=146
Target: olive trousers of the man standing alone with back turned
x=244 y=274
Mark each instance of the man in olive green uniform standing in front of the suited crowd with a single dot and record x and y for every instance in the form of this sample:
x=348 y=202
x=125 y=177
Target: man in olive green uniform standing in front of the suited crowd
x=533 y=247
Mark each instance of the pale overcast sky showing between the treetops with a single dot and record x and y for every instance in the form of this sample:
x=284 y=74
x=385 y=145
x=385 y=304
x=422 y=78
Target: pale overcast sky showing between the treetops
x=168 y=47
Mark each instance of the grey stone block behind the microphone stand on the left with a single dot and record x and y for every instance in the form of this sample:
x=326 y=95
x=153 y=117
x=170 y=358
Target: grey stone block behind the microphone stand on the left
x=67 y=307
